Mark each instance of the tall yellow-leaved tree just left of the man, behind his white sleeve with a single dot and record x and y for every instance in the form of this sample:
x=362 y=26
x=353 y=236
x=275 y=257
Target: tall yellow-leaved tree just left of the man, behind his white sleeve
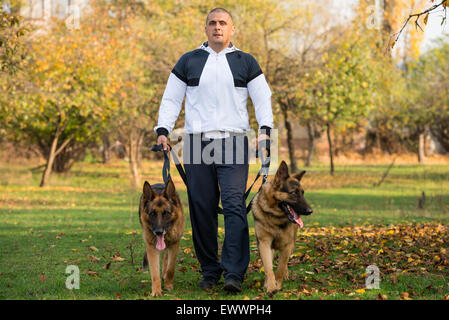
x=146 y=45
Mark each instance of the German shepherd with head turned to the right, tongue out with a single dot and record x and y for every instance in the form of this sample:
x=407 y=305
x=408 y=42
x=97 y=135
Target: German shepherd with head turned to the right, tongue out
x=277 y=210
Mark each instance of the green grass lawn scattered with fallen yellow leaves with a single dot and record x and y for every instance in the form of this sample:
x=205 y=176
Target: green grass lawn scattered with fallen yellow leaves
x=88 y=217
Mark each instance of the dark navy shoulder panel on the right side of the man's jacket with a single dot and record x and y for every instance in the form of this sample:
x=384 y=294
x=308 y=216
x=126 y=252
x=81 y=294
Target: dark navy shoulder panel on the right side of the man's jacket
x=244 y=67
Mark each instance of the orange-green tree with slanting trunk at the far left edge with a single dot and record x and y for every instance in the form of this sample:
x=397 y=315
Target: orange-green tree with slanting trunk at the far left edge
x=61 y=95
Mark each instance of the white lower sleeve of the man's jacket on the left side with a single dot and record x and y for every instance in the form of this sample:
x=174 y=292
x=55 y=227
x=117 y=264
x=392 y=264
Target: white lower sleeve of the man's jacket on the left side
x=171 y=103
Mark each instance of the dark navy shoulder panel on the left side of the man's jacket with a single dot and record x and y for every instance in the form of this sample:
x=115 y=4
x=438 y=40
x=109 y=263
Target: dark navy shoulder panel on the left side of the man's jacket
x=190 y=66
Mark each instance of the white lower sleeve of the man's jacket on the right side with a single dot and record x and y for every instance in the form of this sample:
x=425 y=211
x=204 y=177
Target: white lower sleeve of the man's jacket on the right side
x=261 y=97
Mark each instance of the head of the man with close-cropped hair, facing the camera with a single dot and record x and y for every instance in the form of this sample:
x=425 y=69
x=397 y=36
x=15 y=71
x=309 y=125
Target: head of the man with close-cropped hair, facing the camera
x=219 y=28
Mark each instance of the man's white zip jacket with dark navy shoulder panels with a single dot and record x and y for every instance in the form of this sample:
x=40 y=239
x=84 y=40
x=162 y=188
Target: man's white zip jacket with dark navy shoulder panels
x=216 y=87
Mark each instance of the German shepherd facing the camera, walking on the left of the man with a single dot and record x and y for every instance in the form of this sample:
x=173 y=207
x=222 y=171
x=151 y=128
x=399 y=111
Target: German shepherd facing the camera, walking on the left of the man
x=161 y=216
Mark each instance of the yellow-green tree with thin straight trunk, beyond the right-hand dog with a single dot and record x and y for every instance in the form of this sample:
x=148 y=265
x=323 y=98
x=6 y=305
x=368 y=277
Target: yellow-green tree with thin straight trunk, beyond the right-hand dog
x=340 y=90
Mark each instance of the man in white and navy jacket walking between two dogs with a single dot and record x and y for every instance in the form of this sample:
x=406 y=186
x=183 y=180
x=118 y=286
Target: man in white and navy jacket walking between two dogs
x=216 y=79
